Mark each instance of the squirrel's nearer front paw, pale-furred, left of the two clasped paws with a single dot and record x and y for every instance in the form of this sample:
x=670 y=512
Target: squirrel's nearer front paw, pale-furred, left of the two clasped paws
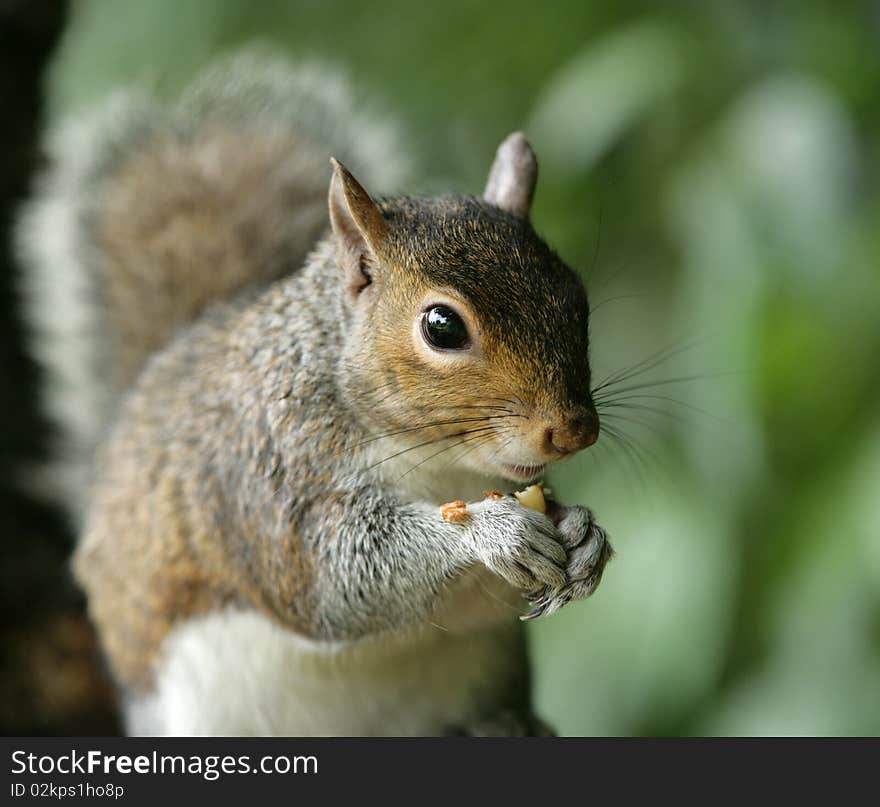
x=520 y=545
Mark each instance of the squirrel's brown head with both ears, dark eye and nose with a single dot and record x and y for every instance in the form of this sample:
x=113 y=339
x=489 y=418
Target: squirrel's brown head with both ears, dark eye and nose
x=466 y=336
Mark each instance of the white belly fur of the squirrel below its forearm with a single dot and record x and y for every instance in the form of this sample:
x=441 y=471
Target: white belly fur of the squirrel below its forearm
x=238 y=673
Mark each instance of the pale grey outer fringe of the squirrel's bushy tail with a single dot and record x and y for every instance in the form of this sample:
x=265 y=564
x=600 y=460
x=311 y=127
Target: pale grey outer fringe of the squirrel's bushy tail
x=71 y=331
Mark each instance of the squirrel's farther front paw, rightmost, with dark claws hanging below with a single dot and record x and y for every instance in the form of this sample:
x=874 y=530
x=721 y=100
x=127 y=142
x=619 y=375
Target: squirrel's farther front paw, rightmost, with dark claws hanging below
x=588 y=550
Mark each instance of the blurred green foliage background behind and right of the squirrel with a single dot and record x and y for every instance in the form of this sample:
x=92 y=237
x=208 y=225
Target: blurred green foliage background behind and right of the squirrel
x=713 y=169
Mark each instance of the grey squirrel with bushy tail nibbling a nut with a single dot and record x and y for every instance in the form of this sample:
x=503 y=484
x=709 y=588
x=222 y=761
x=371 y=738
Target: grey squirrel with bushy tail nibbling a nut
x=263 y=406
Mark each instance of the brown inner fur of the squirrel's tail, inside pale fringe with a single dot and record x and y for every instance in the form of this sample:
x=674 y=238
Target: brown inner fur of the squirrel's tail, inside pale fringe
x=189 y=221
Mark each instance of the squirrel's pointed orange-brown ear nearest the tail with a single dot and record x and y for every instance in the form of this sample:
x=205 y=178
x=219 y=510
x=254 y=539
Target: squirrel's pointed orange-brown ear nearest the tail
x=357 y=222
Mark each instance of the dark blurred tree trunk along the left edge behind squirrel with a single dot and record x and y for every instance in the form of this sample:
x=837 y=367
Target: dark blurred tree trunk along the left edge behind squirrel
x=51 y=677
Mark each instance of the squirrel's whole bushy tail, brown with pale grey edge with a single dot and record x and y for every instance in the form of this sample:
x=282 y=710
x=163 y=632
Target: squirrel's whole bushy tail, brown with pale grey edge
x=148 y=213
